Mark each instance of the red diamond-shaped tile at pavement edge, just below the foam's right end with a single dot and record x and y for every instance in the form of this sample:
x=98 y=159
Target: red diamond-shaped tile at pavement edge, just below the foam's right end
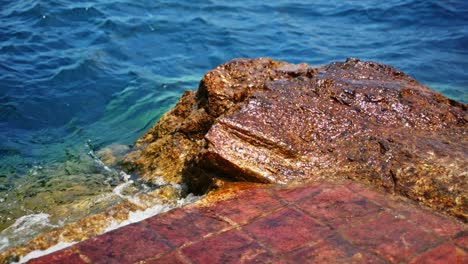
x=180 y=226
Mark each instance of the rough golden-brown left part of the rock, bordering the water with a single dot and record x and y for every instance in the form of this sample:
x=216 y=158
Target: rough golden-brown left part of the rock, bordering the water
x=172 y=148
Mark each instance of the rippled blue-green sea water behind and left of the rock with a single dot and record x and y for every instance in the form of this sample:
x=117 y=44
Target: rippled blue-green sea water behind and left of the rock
x=80 y=75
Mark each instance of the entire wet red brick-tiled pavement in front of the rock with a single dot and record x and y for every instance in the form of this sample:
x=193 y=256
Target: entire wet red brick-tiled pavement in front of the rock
x=317 y=223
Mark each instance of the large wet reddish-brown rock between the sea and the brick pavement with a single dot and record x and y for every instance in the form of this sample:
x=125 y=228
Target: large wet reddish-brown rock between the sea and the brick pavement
x=269 y=121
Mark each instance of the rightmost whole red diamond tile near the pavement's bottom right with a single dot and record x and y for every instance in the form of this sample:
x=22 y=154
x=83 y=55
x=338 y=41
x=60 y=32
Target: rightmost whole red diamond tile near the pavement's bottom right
x=392 y=238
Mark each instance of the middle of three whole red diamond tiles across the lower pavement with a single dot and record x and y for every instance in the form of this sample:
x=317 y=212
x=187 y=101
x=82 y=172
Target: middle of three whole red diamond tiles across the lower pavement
x=286 y=230
